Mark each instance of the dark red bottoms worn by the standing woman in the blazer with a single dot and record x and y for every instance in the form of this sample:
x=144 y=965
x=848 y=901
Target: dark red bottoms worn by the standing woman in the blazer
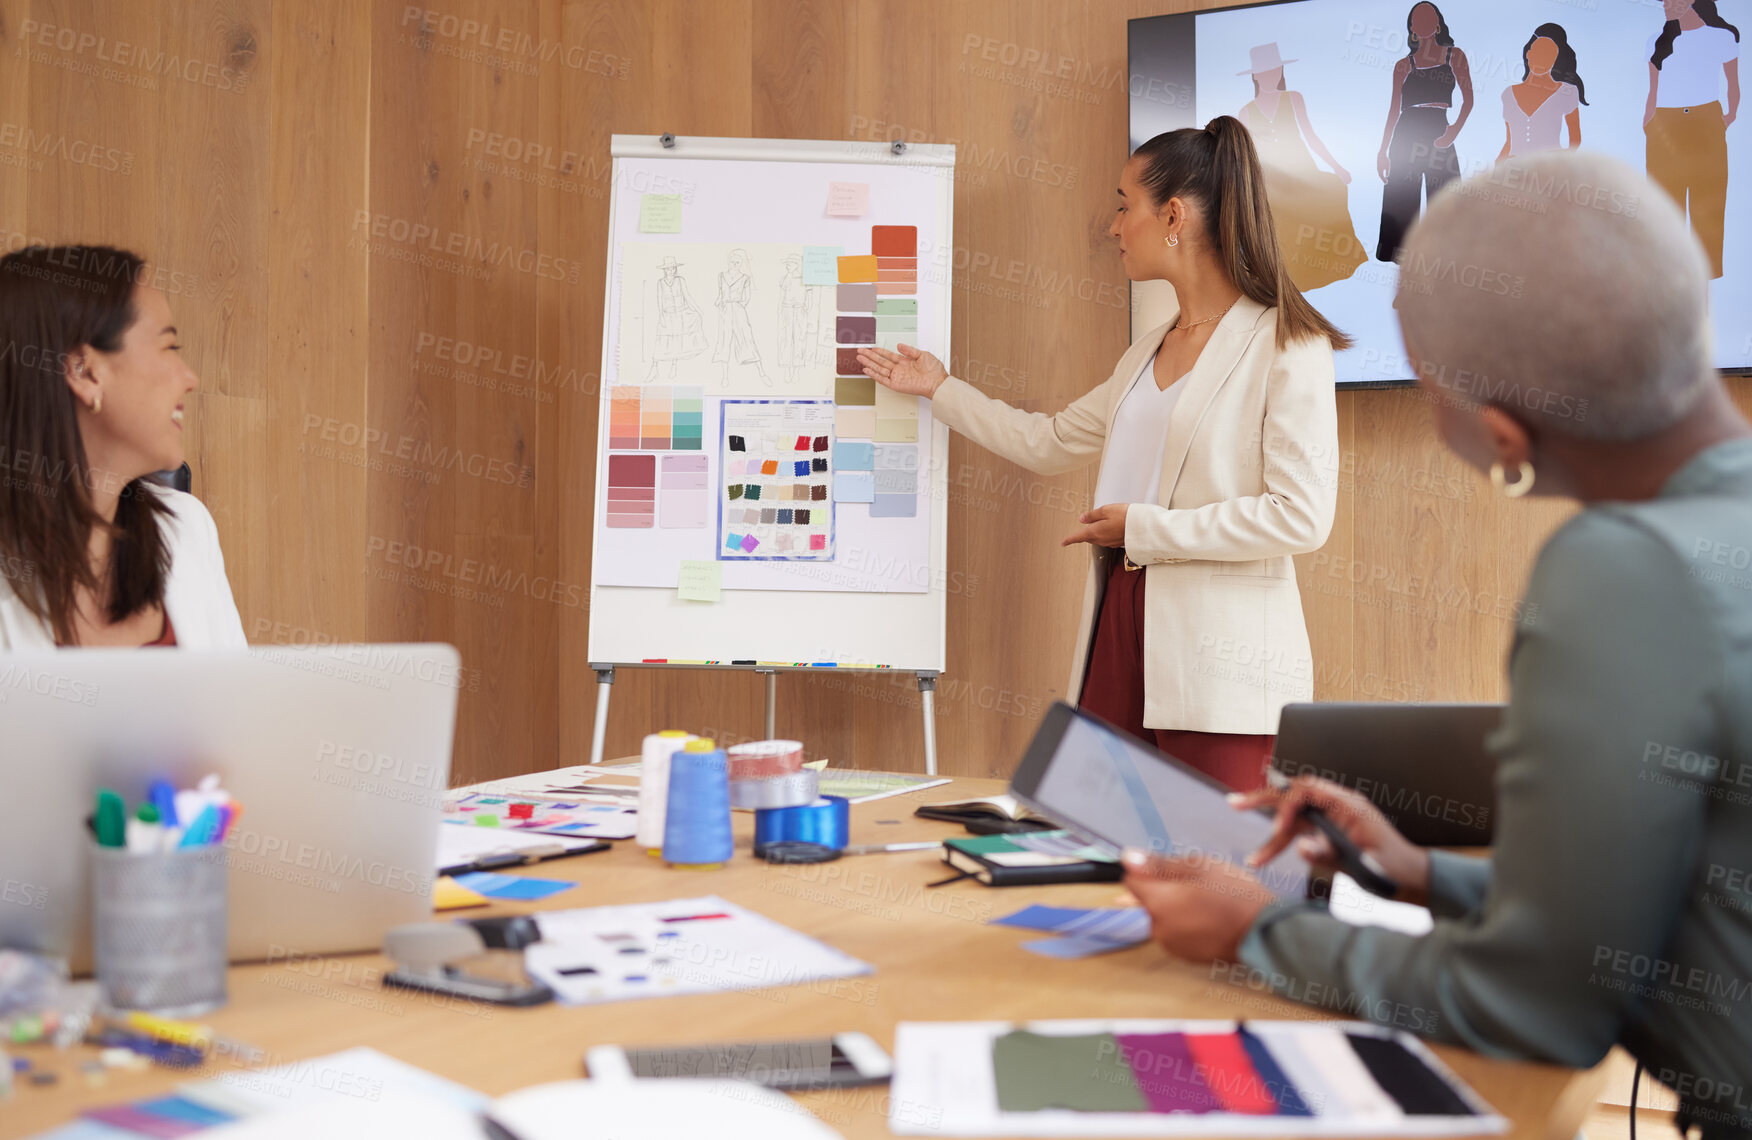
x=1113 y=689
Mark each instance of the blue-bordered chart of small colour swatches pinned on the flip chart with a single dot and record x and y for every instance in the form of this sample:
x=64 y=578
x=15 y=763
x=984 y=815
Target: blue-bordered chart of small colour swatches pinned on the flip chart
x=779 y=481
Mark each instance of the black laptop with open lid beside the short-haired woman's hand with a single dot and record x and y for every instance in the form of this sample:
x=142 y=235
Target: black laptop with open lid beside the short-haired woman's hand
x=1425 y=766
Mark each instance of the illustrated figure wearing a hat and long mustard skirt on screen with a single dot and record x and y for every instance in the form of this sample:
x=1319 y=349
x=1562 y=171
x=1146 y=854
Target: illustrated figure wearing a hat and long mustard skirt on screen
x=1310 y=206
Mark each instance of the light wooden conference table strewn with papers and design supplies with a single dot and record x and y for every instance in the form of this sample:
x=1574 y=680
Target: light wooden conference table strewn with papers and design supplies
x=933 y=954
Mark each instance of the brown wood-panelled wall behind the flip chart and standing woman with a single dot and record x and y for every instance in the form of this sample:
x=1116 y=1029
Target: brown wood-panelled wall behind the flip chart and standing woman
x=360 y=213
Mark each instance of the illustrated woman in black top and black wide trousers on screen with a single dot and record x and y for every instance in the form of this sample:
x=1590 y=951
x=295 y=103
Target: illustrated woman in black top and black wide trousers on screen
x=1418 y=148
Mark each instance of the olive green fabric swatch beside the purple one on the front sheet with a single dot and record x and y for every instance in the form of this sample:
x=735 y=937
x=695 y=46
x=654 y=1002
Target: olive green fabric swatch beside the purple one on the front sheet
x=1084 y=1074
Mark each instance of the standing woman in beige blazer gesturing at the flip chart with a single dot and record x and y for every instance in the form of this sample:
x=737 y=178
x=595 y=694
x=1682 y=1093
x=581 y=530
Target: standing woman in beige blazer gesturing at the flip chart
x=1219 y=453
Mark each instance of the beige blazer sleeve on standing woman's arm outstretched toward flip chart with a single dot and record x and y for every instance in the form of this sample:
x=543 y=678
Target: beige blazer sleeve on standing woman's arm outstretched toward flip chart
x=1042 y=444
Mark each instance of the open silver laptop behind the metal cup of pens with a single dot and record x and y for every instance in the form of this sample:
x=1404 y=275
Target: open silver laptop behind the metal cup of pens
x=337 y=756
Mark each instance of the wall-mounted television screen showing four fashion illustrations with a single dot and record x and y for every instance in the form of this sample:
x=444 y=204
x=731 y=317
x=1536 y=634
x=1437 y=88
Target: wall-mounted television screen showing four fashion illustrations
x=1352 y=151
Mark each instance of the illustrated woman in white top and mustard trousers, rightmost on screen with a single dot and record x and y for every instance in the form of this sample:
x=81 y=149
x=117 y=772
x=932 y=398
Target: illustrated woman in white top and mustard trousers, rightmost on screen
x=1685 y=122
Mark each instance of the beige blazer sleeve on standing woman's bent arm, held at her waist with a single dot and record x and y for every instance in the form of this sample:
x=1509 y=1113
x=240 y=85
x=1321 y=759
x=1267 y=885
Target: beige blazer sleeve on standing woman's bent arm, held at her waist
x=1299 y=454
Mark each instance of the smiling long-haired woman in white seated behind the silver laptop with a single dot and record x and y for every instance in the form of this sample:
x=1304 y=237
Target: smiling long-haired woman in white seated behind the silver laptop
x=92 y=398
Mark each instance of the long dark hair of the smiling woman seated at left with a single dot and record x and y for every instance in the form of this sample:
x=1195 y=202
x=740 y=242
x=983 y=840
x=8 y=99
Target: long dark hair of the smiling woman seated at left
x=53 y=304
